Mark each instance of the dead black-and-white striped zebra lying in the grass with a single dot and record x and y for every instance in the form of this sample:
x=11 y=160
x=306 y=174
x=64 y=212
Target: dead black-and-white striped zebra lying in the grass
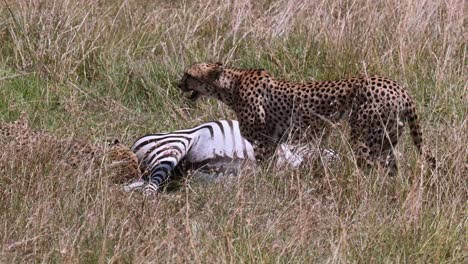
x=213 y=145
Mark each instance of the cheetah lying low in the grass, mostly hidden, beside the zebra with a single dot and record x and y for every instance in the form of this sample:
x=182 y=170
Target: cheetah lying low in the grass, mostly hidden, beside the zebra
x=120 y=163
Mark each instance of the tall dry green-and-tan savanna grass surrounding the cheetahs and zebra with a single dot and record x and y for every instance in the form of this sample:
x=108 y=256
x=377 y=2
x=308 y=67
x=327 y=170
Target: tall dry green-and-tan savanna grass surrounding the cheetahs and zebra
x=100 y=69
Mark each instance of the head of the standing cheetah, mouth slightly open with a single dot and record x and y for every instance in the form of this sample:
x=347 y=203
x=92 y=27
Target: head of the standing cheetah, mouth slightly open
x=199 y=77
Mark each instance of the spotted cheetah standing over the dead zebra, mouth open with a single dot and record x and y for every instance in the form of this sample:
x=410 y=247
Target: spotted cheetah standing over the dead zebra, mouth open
x=269 y=110
